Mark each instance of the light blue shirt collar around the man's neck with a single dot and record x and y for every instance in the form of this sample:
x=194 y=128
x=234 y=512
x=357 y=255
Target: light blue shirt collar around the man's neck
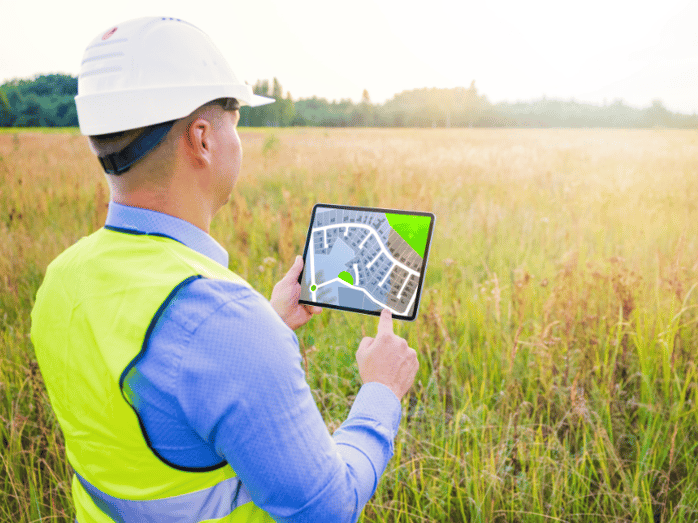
x=149 y=222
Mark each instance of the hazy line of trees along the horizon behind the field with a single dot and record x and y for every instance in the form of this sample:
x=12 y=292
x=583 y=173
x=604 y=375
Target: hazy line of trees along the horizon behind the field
x=48 y=101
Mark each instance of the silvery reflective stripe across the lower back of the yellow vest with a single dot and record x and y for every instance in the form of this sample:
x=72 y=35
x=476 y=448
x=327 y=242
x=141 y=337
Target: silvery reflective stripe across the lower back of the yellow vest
x=211 y=503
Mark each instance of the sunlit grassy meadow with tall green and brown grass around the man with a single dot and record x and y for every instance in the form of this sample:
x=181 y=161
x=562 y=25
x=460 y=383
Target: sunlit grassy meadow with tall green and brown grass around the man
x=557 y=333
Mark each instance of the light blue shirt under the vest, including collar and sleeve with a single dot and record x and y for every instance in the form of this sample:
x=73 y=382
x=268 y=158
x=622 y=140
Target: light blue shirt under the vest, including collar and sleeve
x=222 y=381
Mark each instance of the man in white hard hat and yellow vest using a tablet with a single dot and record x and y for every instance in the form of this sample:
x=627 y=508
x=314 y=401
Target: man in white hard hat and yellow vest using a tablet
x=178 y=388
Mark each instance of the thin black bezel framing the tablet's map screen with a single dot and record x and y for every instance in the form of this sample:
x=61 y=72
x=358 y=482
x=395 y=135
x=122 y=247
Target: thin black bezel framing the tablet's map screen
x=423 y=269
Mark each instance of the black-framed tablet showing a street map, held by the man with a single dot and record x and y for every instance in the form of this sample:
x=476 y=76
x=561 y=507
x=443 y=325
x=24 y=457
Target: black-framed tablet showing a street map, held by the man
x=364 y=259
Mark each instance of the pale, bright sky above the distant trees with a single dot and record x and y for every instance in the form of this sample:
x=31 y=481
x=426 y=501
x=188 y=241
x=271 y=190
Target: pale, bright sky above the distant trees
x=592 y=51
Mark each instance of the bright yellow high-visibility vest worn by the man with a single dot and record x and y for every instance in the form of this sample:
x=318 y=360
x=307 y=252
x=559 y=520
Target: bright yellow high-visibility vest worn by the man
x=93 y=315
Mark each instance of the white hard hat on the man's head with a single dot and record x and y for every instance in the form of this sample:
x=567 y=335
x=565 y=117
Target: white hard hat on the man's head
x=152 y=70
